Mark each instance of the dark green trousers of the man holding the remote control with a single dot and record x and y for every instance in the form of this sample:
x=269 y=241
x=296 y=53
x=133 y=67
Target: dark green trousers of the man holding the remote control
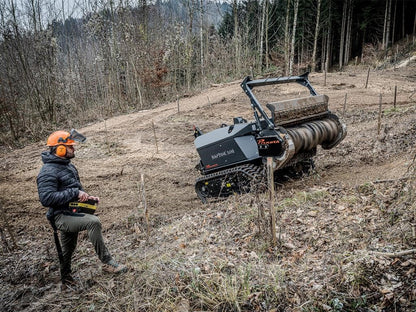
x=70 y=225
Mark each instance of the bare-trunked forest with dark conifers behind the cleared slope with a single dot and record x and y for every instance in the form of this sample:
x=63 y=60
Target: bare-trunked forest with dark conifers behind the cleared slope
x=59 y=69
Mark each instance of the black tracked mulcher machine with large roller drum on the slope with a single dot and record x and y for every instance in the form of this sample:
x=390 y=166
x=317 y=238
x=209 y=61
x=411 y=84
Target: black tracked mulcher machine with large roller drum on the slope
x=233 y=158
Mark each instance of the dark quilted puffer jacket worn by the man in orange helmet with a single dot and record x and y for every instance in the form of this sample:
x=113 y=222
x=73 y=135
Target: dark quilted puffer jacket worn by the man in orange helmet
x=58 y=182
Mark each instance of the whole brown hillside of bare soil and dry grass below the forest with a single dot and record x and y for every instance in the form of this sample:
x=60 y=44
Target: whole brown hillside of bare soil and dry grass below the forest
x=337 y=228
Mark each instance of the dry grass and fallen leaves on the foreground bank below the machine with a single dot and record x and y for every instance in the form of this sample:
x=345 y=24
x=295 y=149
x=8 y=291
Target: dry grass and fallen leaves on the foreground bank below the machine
x=219 y=260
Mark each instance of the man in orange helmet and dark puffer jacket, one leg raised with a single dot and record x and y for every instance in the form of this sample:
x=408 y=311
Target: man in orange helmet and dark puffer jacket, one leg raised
x=59 y=187
